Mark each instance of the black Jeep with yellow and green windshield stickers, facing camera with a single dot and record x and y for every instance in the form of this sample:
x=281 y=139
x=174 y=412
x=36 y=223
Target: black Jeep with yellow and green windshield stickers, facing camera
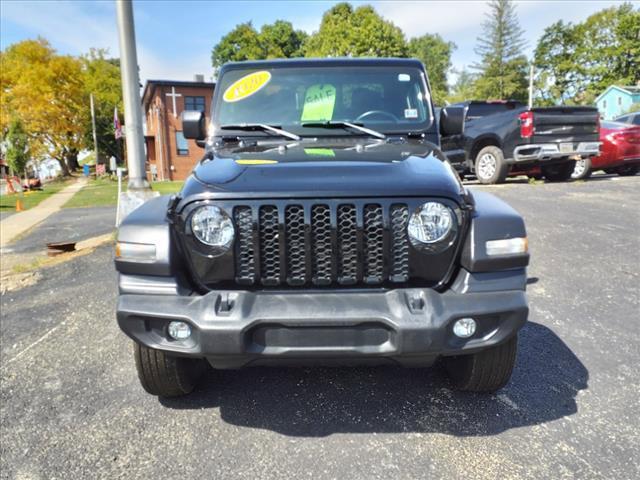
x=322 y=226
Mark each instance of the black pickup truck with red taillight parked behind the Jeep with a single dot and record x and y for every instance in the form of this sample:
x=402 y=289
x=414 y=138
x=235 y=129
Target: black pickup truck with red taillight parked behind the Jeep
x=501 y=136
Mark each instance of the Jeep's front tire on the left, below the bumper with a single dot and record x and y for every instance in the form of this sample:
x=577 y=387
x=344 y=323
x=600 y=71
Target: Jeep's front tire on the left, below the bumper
x=165 y=375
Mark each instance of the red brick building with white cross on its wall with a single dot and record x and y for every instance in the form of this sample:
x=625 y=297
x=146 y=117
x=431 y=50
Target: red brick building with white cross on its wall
x=169 y=155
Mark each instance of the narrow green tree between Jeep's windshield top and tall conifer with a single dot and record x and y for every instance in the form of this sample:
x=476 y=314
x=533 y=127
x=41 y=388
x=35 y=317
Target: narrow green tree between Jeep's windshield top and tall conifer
x=435 y=53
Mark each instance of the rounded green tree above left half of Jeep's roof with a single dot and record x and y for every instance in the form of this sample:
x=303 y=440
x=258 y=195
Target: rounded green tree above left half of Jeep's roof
x=244 y=42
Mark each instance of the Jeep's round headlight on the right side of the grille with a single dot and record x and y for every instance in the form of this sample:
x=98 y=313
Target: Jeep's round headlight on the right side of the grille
x=431 y=223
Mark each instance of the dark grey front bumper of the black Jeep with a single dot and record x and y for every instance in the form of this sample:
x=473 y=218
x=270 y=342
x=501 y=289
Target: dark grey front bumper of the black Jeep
x=406 y=325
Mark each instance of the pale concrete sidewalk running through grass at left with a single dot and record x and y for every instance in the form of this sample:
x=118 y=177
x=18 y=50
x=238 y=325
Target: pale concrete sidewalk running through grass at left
x=18 y=223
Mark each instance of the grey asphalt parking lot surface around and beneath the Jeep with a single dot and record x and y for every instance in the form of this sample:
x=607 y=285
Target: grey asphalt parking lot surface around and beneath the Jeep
x=71 y=406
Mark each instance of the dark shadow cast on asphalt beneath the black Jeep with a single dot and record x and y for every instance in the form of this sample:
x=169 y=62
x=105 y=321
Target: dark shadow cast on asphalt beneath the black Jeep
x=316 y=402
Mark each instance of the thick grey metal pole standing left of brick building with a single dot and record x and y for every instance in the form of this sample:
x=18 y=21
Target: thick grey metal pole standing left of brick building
x=131 y=95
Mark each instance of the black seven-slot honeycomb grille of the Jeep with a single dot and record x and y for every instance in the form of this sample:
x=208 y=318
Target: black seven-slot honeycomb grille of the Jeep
x=321 y=244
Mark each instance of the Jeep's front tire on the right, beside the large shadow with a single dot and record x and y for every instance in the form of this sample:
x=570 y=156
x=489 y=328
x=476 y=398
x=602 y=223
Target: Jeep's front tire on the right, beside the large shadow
x=486 y=371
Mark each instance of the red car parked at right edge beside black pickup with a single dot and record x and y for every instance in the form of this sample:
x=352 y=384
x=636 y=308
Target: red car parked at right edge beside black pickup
x=620 y=151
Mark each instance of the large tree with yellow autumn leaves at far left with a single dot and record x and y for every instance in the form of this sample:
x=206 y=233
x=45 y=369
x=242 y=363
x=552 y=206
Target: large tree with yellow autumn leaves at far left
x=49 y=94
